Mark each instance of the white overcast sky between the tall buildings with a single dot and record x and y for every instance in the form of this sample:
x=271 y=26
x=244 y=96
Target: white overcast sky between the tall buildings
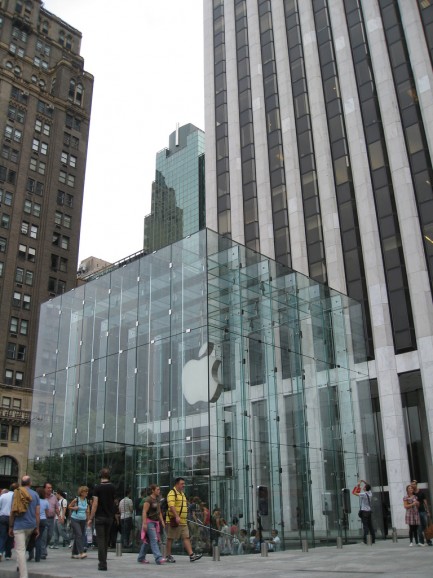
x=147 y=60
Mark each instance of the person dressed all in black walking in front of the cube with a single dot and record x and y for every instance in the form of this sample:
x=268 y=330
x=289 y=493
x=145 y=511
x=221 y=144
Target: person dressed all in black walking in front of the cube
x=103 y=513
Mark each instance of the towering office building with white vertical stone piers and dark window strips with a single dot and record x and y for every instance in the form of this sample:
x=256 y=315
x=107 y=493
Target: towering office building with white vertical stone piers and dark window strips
x=319 y=135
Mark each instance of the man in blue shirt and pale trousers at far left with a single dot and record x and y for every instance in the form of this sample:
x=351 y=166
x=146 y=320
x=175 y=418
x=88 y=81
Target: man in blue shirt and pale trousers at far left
x=24 y=521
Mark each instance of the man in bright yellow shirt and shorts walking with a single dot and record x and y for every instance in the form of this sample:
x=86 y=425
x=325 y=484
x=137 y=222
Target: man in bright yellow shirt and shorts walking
x=176 y=521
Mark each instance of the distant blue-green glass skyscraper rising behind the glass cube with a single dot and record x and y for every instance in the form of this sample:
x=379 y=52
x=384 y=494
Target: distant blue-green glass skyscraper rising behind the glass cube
x=178 y=190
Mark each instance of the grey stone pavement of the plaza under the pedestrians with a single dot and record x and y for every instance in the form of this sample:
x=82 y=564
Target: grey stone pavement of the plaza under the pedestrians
x=385 y=559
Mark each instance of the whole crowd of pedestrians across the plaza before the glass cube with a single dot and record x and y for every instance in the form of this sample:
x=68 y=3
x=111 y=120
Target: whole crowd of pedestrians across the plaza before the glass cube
x=32 y=521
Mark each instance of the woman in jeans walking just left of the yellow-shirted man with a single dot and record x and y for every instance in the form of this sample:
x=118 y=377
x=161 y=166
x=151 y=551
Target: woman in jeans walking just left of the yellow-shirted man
x=151 y=526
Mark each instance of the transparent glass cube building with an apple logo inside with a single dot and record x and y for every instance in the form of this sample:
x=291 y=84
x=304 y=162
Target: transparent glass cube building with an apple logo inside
x=209 y=361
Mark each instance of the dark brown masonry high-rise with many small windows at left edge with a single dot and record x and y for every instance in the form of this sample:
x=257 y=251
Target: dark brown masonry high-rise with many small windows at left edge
x=45 y=102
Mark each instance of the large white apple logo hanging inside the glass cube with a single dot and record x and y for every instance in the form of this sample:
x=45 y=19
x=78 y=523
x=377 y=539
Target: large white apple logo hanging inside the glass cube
x=197 y=373
